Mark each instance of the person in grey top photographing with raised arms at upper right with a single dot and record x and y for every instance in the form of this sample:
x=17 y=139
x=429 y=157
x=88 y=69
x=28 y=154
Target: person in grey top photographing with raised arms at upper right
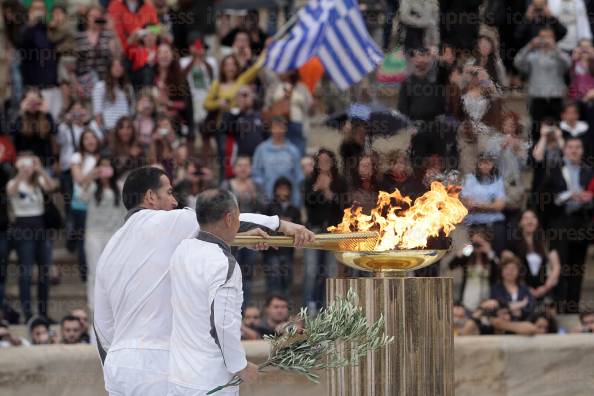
x=545 y=65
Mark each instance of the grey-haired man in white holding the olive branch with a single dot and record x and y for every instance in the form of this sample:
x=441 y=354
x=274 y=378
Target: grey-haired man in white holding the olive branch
x=206 y=298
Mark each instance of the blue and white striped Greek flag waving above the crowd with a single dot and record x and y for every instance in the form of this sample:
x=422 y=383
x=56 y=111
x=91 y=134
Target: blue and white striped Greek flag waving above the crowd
x=334 y=31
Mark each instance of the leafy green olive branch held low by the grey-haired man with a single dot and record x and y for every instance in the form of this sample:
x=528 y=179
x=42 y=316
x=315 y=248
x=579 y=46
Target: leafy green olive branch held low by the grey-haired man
x=339 y=336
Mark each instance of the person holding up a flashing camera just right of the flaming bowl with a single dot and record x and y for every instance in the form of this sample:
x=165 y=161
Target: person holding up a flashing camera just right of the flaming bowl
x=479 y=270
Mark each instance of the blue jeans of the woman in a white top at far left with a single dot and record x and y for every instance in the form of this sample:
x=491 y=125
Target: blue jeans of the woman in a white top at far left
x=33 y=247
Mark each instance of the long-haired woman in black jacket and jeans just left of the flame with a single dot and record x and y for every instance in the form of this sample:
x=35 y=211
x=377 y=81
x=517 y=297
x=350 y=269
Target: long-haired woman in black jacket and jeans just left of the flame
x=325 y=197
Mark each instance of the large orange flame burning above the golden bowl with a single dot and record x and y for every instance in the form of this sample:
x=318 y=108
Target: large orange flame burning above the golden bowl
x=406 y=226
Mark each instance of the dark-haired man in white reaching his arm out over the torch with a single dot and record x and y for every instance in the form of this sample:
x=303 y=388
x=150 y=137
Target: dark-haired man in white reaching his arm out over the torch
x=132 y=288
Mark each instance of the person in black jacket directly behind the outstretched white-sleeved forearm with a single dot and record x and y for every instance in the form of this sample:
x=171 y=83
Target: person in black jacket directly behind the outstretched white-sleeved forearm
x=278 y=263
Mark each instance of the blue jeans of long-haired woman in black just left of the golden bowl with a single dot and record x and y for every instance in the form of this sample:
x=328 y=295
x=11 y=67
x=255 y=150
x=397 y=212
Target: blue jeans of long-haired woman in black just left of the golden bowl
x=319 y=265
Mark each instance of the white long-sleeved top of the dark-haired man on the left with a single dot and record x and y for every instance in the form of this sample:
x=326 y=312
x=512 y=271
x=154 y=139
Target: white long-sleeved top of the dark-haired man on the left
x=132 y=287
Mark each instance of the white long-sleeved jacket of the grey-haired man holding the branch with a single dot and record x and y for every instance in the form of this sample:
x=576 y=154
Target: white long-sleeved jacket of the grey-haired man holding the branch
x=206 y=297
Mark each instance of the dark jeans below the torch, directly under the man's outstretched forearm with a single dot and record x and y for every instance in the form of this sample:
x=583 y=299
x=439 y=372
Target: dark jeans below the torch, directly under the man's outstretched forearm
x=278 y=268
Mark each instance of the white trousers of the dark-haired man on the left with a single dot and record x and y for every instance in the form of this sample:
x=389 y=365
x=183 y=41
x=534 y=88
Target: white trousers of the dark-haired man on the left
x=136 y=372
